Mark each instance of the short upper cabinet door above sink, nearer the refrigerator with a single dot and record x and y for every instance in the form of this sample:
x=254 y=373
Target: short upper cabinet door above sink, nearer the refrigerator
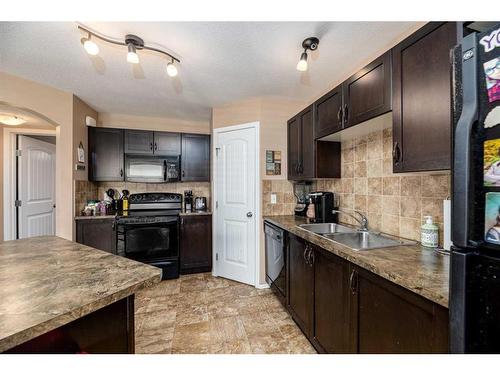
x=367 y=94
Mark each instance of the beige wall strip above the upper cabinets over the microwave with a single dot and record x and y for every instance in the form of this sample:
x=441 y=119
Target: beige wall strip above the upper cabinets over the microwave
x=114 y=120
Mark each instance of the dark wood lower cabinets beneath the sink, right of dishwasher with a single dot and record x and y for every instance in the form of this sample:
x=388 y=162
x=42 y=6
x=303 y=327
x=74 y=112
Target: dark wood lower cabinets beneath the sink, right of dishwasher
x=343 y=308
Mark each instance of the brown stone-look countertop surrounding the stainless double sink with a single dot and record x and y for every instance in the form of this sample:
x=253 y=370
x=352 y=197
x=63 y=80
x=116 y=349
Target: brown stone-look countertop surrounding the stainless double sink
x=416 y=268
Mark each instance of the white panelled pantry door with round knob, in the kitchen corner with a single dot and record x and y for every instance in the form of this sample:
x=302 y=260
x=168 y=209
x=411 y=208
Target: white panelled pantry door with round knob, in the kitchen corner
x=235 y=214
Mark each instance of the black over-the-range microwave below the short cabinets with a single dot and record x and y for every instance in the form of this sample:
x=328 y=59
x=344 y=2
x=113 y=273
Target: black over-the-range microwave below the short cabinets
x=152 y=168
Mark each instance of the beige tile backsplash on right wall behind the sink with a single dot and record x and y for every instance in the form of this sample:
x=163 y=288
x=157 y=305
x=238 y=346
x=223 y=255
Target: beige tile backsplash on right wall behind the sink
x=394 y=203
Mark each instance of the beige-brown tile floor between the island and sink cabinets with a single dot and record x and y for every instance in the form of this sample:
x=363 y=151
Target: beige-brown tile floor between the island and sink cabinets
x=204 y=314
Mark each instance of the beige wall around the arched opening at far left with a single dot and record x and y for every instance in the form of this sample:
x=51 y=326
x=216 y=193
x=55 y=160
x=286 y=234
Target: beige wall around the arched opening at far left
x=56 y=105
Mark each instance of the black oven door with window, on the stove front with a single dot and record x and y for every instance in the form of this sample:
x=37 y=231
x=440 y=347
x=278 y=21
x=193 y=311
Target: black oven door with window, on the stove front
x=151 y=241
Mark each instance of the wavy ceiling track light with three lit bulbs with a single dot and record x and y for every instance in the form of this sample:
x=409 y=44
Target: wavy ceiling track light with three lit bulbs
x=133 y=44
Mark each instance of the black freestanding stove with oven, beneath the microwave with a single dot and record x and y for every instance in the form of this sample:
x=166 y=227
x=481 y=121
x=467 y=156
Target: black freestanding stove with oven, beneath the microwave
x=149 y=231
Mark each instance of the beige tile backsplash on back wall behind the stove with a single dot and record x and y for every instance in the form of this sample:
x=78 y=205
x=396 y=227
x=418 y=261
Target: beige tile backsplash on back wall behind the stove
x=95 y=190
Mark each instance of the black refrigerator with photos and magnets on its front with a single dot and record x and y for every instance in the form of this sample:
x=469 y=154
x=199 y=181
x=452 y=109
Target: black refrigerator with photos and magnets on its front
x=475 y=255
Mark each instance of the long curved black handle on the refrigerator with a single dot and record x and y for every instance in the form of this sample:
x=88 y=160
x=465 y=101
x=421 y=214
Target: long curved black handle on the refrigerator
x=462 y=147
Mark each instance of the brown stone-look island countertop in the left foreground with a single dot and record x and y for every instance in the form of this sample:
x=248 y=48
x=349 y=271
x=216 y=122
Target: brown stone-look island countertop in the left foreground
x=47 y=282
